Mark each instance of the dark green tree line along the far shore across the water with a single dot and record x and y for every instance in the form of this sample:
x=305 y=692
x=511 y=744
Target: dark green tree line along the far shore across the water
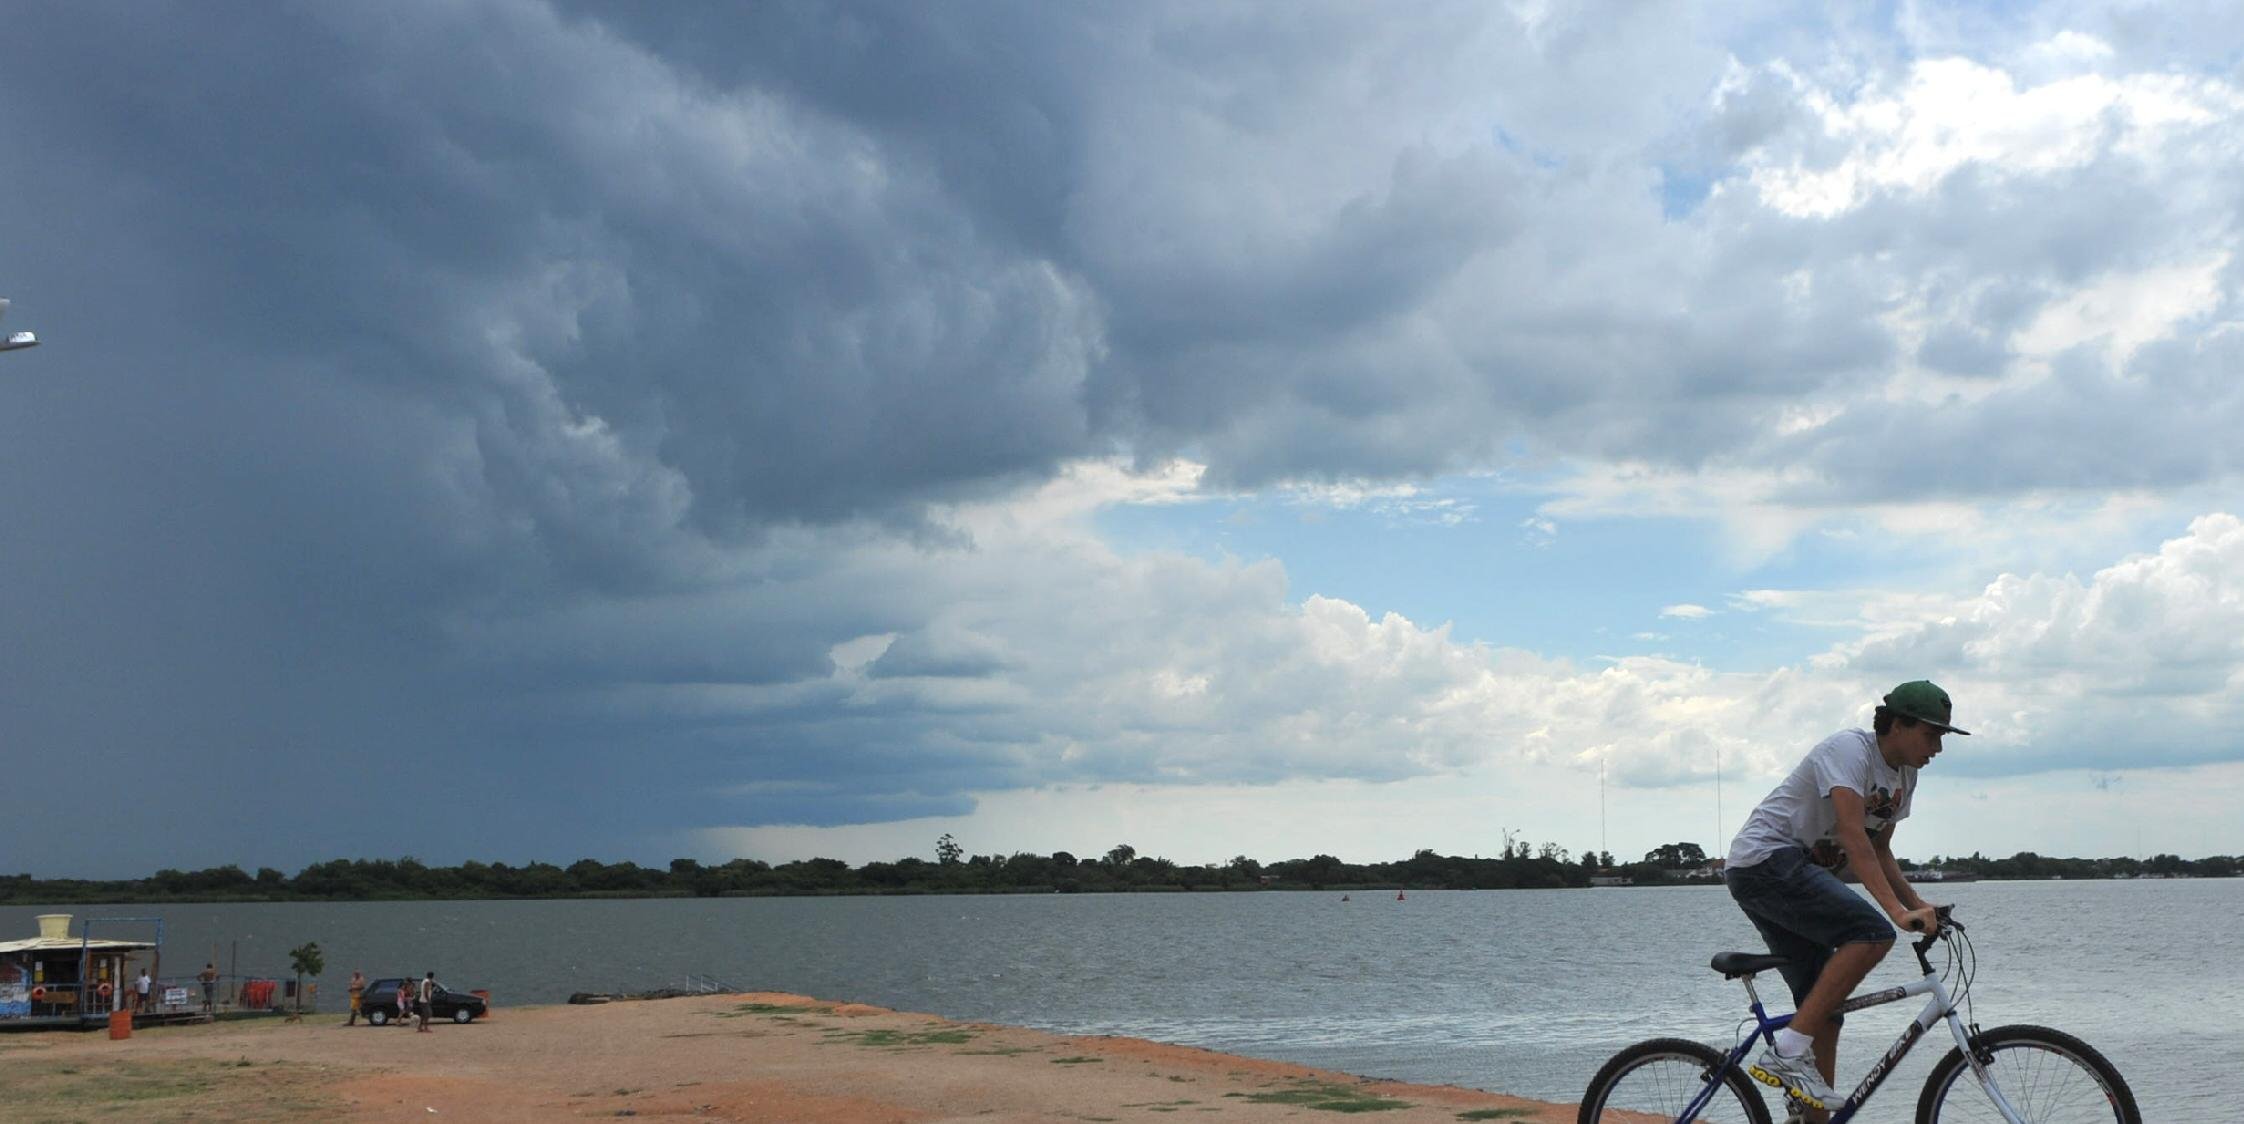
x=955 y=872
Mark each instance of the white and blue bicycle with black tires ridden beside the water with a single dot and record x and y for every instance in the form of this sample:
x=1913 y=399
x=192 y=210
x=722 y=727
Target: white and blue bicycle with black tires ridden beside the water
x=2018 y=1074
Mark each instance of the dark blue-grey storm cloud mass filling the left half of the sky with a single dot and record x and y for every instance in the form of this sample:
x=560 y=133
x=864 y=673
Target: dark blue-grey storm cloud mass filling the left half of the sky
x=410 y=371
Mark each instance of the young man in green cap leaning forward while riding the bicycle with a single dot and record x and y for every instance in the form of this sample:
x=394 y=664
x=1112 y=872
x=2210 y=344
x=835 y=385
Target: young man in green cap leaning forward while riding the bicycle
x=1837 y=809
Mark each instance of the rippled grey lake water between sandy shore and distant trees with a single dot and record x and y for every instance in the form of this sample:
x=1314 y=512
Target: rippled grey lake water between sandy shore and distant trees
x=1511 y=991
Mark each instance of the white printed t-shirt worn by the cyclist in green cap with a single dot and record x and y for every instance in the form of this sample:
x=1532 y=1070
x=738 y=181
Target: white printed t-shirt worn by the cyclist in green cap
x=1799 y=811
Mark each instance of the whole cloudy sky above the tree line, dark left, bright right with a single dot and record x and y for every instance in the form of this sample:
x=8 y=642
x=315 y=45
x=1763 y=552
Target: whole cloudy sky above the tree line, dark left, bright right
x=551 y=430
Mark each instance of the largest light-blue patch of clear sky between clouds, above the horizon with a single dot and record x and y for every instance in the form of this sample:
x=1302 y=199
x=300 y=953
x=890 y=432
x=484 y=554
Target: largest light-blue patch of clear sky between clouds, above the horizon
x=1502 y=575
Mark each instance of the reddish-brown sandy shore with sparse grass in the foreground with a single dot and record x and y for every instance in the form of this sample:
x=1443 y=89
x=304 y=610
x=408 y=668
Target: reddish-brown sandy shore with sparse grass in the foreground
x=710 y=1058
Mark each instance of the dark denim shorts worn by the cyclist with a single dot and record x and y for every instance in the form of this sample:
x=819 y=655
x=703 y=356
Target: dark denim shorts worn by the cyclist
x=1805 y=914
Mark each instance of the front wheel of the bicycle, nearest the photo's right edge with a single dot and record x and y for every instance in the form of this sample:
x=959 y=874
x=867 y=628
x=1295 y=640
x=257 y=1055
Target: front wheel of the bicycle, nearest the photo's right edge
x=2048 y=1076
